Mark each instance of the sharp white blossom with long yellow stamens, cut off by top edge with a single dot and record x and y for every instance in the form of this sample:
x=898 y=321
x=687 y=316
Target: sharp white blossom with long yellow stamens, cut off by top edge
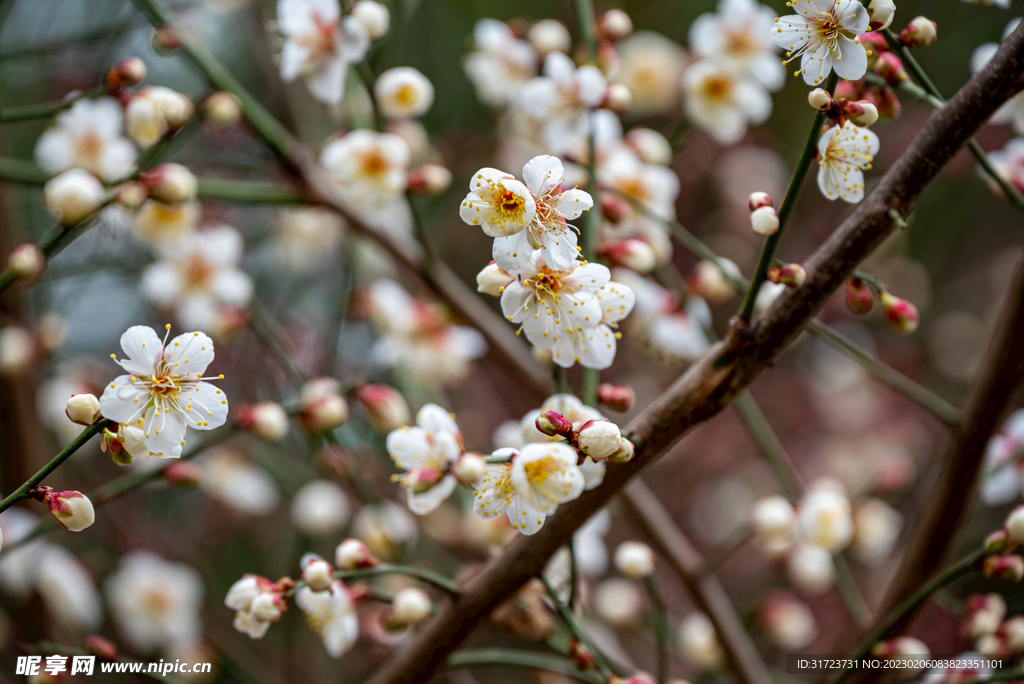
x=825 y=35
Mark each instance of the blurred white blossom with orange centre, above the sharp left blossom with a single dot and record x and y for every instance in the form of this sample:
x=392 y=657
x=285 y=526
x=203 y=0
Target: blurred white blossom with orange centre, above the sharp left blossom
x=200 y=277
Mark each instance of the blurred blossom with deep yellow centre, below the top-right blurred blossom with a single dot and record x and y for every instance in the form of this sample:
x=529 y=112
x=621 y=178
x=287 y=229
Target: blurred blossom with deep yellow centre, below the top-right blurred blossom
x=723 y=101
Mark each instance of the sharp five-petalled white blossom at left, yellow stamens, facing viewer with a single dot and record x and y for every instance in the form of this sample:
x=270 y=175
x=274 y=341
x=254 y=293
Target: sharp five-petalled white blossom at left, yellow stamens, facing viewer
x=164 y=393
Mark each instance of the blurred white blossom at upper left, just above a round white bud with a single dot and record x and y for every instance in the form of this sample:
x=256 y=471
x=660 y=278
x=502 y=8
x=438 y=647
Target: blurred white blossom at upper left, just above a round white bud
x=88 y=136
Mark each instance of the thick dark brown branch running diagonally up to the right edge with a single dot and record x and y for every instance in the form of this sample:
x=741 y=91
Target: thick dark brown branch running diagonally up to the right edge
x=730 y=367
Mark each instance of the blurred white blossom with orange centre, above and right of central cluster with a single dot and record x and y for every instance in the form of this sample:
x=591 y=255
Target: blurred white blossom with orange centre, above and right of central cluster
x=563 y=100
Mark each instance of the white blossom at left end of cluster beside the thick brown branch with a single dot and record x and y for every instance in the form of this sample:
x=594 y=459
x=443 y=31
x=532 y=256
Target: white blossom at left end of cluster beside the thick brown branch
x=425 y=452
